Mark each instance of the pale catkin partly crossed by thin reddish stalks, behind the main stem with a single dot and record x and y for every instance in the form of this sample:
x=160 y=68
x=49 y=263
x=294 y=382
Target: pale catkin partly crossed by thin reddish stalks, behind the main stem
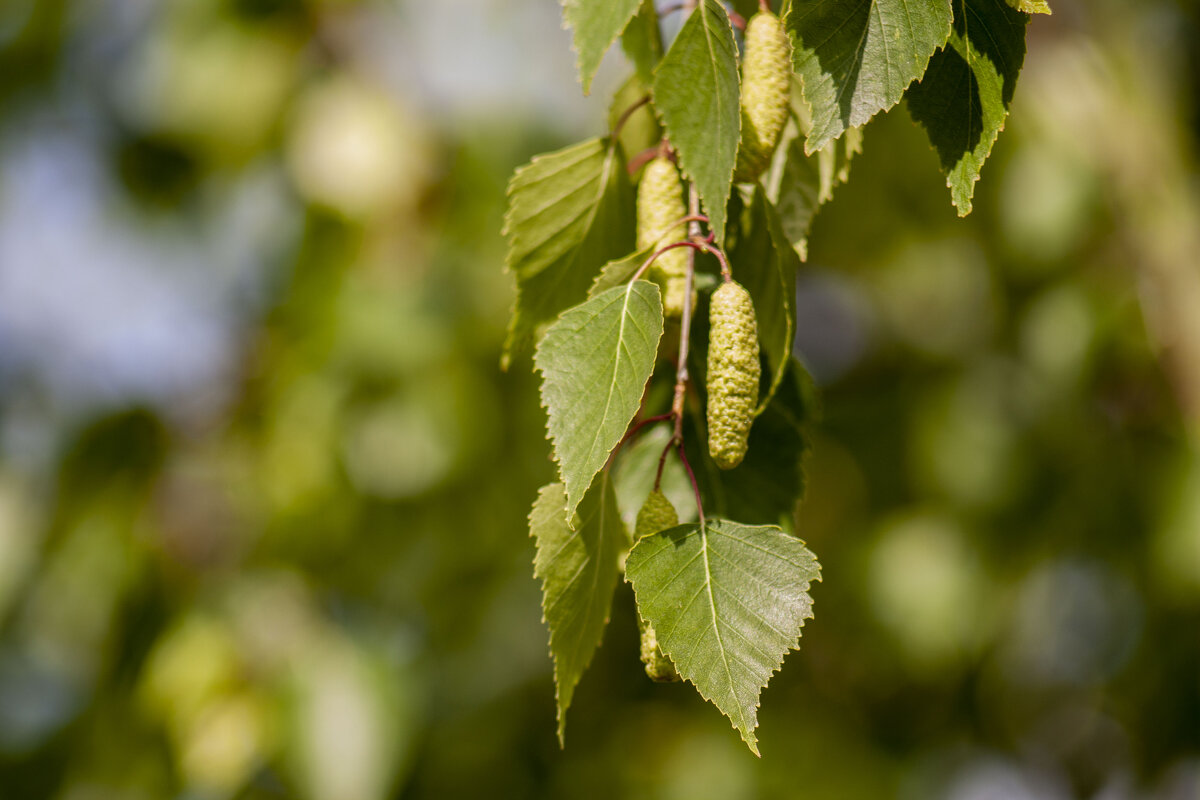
x=659 y=206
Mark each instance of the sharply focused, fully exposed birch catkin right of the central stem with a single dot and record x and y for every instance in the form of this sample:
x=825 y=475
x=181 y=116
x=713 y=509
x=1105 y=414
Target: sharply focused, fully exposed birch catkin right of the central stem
x=734 y=374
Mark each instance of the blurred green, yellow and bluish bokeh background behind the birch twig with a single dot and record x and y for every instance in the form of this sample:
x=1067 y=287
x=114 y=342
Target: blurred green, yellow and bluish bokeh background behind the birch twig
x=263 y=488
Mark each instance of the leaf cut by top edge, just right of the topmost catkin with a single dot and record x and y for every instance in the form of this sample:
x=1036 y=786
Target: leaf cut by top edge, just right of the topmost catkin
x=857 y=57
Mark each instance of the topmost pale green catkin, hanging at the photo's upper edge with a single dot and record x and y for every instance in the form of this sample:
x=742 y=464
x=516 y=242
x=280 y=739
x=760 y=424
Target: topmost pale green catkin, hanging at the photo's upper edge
x=766 y=91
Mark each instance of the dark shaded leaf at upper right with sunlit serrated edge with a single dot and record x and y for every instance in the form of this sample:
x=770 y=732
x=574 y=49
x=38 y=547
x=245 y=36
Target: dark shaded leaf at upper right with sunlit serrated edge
x=965 y=95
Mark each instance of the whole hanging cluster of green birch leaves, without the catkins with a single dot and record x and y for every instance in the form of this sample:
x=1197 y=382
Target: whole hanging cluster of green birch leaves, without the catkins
x=727 y=599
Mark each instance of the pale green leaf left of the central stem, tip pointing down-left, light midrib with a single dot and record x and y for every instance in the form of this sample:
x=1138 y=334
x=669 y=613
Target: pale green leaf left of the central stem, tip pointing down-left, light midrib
x=596 y=363
